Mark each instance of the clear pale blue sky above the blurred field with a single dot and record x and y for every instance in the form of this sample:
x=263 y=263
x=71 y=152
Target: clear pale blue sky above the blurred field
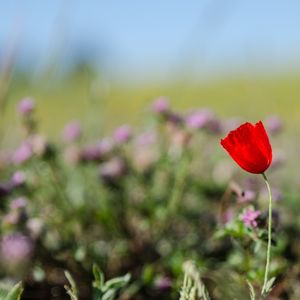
x=145 y=38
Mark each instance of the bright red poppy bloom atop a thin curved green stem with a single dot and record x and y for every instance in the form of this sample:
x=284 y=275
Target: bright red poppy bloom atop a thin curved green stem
x=250 y=147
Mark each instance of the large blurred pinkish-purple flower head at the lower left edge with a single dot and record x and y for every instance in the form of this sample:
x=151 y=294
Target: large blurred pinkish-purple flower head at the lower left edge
x=15 y=248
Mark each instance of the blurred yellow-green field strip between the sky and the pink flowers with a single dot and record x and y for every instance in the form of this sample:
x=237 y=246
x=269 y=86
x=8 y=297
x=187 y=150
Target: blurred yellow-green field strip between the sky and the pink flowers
x=101 y=105
